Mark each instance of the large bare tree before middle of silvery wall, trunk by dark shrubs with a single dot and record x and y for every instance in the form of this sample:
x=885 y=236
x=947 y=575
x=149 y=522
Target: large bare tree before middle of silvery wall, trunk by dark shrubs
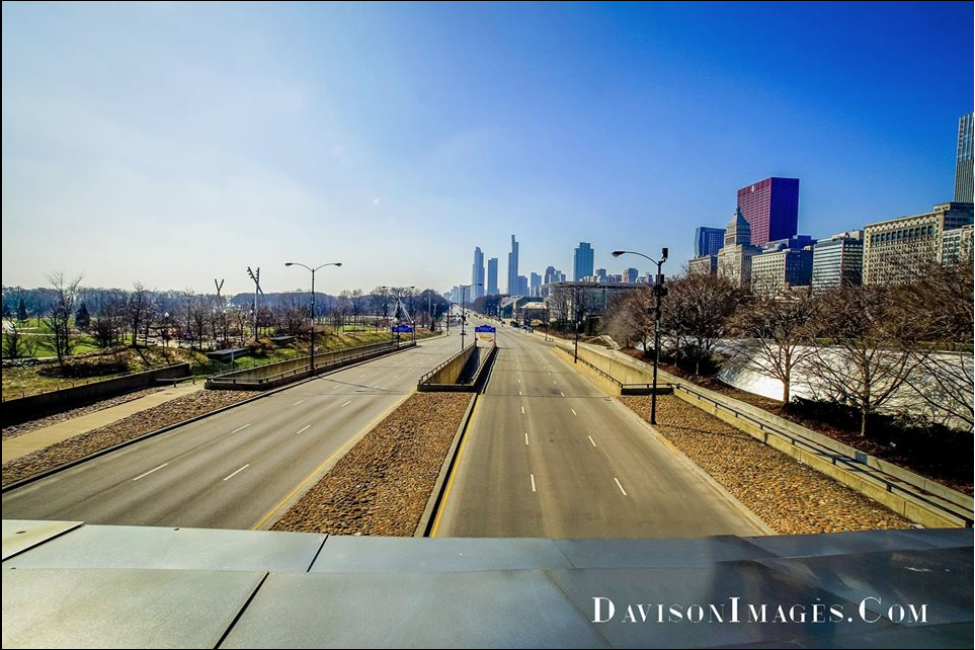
x=874 y=348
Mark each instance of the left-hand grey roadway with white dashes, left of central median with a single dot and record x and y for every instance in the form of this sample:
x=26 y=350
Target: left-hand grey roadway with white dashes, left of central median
x=238 y=469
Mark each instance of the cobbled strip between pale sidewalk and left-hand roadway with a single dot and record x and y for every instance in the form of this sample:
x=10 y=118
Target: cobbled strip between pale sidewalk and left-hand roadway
x=133 y=426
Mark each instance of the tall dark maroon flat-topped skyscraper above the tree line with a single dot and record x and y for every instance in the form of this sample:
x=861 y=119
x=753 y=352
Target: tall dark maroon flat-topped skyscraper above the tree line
x=771 y=208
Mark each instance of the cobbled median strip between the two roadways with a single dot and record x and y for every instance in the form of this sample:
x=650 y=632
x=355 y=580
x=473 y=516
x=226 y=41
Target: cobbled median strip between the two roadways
x=382 y=485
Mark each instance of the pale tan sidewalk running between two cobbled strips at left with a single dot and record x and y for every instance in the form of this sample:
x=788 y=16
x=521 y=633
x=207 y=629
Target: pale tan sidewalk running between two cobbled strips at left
x=14 y=448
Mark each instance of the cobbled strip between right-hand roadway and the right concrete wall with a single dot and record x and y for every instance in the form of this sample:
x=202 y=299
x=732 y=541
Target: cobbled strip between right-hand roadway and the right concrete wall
x=789 y=497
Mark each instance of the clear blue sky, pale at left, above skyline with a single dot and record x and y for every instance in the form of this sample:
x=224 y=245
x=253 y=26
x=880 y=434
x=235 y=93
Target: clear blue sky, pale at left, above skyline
x=173 y=143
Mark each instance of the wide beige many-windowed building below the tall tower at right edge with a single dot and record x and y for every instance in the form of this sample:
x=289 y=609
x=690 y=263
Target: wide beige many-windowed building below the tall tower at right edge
x=898 y=250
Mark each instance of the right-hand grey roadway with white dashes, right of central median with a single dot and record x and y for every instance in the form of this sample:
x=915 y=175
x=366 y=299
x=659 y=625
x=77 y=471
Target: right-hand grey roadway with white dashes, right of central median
x=548 y=455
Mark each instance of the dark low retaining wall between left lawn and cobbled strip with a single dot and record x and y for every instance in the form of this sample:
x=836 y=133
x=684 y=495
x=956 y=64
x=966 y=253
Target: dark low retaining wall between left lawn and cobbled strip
x=23 y=409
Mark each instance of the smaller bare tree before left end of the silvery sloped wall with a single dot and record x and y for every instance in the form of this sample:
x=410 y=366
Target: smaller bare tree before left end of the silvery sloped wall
x=779 y=333
